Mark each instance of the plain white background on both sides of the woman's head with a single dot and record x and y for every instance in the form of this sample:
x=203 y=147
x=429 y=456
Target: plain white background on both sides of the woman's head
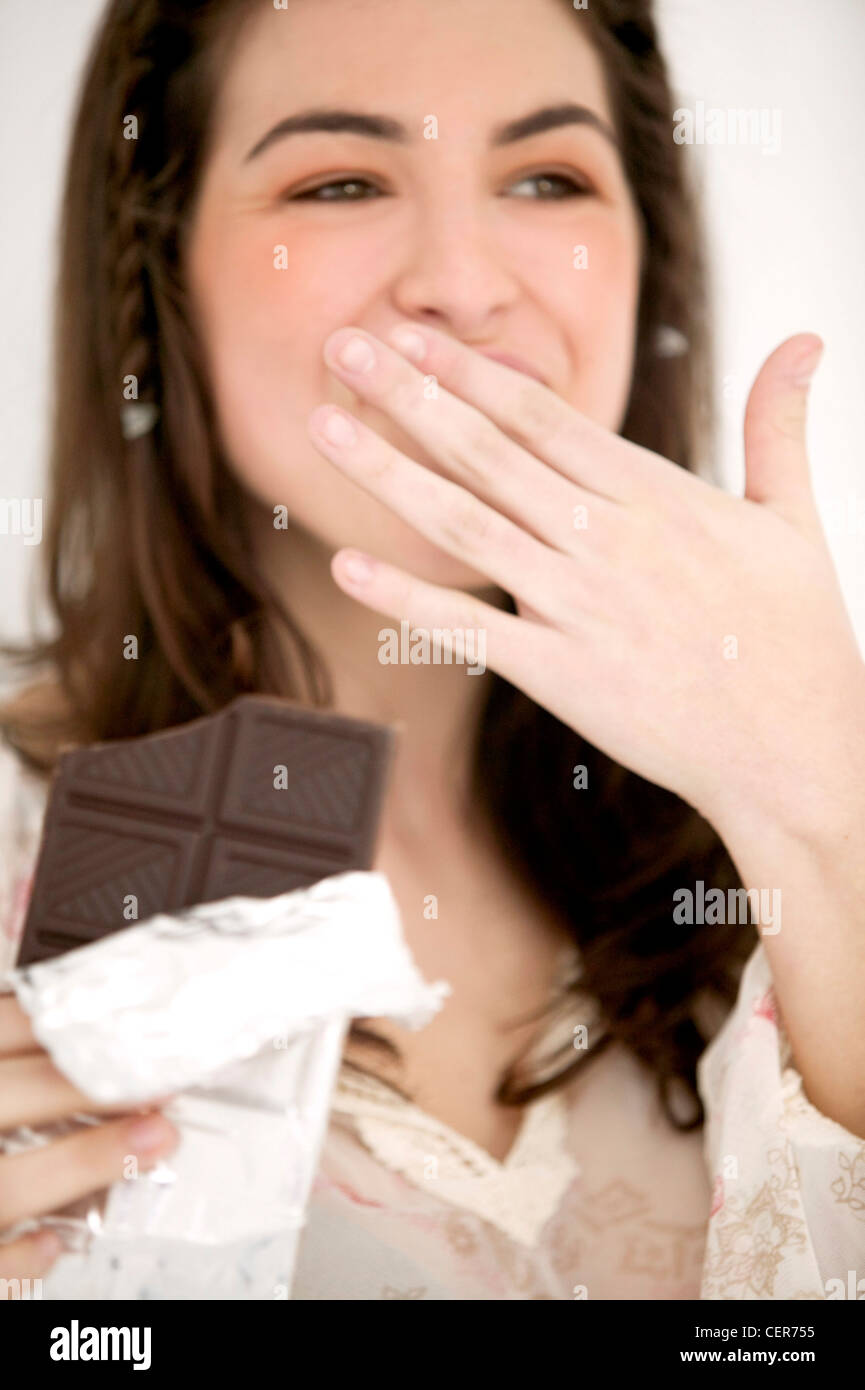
x=785 y=231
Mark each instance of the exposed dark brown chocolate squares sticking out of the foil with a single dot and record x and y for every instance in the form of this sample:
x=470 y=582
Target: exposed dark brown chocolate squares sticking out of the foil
x=254 y=801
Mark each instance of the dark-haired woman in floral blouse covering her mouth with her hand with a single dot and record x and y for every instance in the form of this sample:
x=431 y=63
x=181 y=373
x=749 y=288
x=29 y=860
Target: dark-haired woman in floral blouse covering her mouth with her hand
x=674 y=697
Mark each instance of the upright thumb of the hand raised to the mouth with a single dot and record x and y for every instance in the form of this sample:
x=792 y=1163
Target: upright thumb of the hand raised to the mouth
x=777 y=459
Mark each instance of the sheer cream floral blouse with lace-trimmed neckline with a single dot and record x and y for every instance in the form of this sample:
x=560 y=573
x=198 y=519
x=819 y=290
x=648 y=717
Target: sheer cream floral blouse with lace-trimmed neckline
x=600 y=1197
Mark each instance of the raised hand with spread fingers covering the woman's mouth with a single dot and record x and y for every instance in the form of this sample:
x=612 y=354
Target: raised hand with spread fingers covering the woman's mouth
x=699 y=639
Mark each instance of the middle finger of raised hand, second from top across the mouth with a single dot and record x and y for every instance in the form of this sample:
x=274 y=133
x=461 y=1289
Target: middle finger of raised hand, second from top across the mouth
x=468 y=445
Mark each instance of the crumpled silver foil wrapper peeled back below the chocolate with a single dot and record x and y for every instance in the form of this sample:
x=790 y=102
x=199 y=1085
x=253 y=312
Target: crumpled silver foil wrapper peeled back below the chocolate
x=241 y=1006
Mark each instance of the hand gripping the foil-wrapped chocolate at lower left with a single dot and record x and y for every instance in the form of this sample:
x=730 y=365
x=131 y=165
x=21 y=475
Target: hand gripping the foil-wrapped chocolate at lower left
x=33 y=1092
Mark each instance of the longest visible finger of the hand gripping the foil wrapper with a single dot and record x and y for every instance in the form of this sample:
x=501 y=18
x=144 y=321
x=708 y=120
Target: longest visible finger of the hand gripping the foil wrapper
x=48 y=1179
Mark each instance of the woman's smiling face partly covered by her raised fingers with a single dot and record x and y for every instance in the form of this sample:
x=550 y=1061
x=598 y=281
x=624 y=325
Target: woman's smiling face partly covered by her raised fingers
x=525 y=244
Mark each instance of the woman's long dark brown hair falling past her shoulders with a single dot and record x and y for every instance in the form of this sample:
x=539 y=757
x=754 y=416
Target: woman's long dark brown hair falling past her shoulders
x=147 y=536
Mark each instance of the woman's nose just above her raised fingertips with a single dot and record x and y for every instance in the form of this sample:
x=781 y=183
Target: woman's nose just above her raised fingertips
x=455 y=276
